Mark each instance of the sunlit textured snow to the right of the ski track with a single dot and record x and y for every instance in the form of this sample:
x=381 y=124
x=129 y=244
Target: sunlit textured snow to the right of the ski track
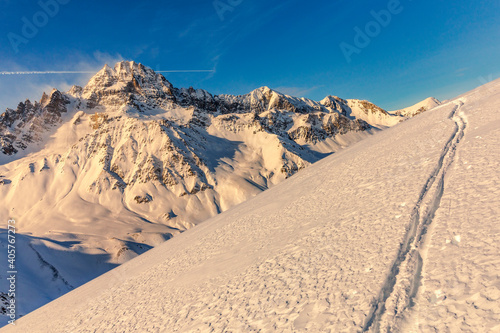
x=460 y=289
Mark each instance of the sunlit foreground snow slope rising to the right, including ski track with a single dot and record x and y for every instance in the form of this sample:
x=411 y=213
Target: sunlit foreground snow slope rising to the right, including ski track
x=398 y=232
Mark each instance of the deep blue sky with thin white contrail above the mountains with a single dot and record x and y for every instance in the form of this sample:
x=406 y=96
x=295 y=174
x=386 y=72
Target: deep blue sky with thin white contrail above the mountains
x=429 y=48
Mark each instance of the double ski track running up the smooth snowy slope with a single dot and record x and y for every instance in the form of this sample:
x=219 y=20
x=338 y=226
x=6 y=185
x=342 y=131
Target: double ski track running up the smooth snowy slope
x=403 y=281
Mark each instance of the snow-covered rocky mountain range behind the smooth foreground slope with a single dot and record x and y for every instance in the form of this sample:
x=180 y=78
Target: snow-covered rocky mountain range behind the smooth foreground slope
x=107 y=171
